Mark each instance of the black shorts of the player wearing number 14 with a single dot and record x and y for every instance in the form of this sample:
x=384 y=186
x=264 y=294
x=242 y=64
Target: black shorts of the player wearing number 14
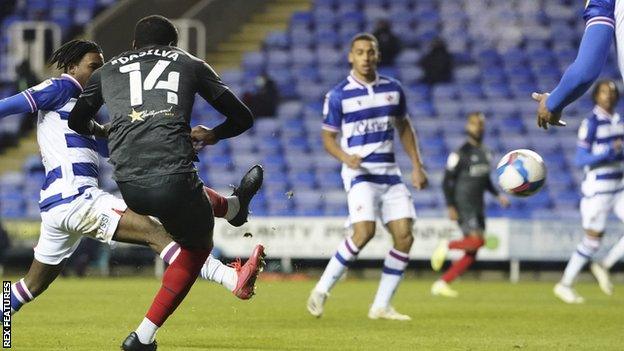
x=179 y=202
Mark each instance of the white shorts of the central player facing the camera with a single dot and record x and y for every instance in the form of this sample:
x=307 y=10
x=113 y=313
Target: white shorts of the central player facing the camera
x=369 y=201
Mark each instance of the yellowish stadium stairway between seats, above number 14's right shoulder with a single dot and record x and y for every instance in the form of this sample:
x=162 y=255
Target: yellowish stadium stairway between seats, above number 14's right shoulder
x=275 y=16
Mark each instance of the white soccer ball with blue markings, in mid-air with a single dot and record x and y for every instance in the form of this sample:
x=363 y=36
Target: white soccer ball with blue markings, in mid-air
x=521 y=172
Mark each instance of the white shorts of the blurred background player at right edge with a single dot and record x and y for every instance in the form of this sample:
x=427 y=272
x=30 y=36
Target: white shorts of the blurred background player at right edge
x=595 y=210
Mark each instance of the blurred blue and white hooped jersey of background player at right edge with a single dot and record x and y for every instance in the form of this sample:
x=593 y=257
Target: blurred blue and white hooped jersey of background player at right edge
x=597 y=135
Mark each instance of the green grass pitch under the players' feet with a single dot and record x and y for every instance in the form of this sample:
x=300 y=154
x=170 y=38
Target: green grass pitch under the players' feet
x=97 y=314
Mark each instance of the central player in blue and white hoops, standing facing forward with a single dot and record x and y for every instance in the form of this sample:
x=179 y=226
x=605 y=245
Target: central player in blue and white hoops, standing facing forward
x=366 y=108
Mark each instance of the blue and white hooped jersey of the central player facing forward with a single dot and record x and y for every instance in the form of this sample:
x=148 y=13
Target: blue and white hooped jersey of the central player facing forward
x=364 y=114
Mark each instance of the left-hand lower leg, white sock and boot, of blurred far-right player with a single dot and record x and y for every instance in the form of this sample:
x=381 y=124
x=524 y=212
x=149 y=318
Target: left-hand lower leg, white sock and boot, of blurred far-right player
x=583 y=253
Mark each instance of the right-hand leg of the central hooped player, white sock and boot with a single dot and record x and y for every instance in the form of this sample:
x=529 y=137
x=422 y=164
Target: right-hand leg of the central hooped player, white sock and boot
x=394 y=266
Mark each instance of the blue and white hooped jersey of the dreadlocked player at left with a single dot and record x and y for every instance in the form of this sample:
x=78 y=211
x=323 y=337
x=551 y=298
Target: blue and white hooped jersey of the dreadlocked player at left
x=71 y=160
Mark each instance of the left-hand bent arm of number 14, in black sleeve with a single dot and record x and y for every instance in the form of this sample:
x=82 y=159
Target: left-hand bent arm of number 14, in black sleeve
x=82 y=117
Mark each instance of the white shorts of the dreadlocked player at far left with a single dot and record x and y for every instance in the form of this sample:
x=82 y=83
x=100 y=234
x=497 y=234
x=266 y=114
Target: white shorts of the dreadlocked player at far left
x=95 y=213
